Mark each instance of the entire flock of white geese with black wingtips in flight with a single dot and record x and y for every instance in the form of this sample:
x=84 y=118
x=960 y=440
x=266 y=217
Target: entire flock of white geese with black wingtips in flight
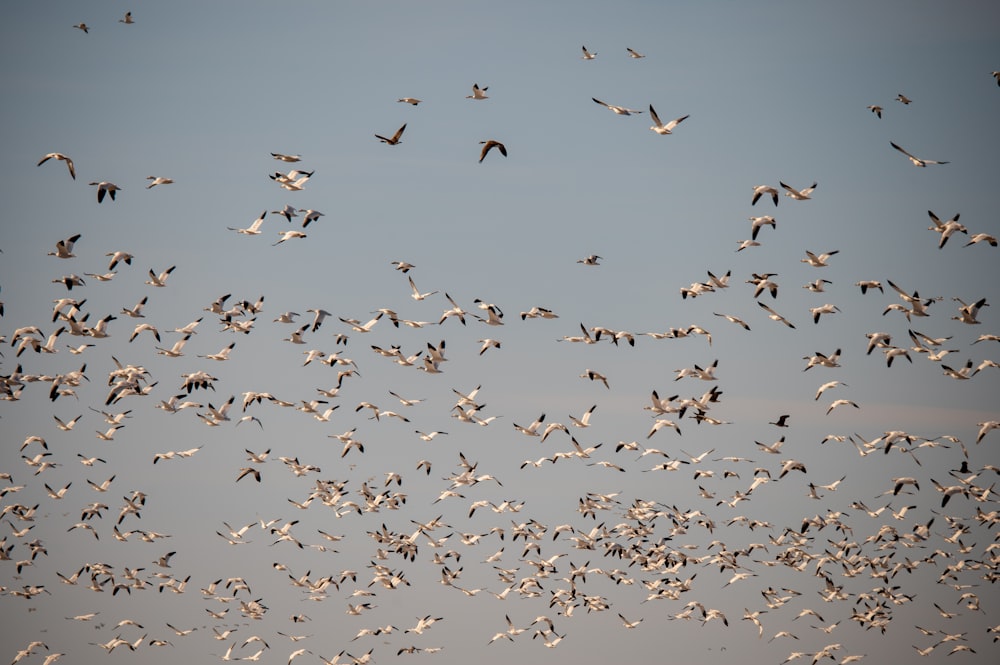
x=847 y=558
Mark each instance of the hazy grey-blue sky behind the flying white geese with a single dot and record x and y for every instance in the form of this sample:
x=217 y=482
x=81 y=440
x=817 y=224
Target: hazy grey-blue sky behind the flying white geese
x=775 y=91
